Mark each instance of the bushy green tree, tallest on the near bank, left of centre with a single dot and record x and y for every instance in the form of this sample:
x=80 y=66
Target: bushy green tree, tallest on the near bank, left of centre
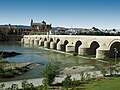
x=51 y=70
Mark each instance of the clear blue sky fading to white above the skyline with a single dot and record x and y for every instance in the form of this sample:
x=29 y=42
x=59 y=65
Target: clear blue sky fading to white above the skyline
x=103 y=14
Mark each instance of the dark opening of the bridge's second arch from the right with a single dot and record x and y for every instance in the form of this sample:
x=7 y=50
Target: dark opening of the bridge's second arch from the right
x=93 y=46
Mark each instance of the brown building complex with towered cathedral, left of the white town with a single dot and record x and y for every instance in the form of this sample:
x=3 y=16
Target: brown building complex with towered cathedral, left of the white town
x=34 y=28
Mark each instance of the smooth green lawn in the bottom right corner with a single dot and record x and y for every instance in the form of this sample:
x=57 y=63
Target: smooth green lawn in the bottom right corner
x=105 y=84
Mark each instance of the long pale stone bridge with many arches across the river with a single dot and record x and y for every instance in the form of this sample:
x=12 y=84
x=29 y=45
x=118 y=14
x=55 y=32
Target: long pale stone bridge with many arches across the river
x=101 y=46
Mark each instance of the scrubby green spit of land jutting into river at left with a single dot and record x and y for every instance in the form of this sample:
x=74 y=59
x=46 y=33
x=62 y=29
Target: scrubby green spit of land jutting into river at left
x=13 y=69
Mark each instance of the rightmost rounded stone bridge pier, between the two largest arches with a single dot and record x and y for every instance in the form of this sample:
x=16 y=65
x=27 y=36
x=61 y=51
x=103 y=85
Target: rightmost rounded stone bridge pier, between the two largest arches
x=101 y=53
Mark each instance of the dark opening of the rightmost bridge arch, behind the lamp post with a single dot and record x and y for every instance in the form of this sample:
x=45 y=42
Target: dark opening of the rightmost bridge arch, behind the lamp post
x=112 y=49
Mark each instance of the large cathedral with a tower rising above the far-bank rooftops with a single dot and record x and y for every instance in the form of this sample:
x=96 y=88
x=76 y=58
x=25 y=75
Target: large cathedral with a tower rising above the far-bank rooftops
x=42 y=28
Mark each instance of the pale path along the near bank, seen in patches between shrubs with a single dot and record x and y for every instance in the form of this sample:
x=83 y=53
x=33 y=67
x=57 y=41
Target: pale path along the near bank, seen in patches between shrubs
x=38 y=81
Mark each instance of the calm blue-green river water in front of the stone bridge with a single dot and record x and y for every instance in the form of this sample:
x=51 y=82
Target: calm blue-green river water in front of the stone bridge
x=42 y=56
